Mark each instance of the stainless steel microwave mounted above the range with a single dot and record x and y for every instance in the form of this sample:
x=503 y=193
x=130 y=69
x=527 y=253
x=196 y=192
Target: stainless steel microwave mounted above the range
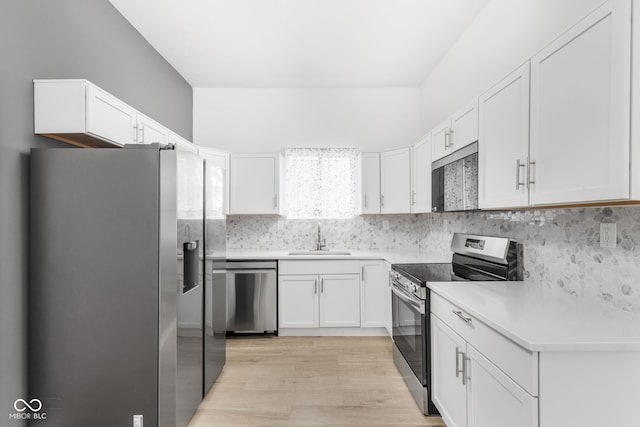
x=454 y=183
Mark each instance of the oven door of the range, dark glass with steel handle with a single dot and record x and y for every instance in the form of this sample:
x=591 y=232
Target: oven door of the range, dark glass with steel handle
x=410 y=330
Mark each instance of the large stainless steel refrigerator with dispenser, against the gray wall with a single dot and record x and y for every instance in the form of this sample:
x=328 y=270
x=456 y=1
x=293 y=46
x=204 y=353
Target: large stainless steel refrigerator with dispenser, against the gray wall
x=118 y=242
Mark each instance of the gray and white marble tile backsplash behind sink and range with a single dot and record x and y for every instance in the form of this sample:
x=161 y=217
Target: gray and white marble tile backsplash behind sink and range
x=560 y=246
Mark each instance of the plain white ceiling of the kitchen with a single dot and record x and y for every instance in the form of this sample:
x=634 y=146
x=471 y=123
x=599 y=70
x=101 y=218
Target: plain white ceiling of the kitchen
x=301 y=43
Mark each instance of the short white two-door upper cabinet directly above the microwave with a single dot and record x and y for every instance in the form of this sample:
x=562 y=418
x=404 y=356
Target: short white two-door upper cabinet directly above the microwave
x=455 y=132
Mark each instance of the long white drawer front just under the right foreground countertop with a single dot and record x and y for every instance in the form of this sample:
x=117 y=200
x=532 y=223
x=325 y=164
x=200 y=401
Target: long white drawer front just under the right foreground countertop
x=519 y=364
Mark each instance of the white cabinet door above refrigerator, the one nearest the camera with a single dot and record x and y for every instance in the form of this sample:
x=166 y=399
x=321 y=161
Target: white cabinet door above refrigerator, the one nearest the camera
x=108 y=117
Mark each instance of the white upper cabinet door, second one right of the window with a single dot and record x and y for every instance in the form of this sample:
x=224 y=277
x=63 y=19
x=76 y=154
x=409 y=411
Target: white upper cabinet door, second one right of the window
x=396 y=181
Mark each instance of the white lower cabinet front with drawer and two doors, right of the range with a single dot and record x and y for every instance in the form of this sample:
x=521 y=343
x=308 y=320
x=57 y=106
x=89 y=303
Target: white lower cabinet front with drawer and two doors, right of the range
x=469 y=389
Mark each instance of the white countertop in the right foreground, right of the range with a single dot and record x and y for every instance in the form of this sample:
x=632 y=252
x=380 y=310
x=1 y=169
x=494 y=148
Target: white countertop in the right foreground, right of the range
x=542 y=319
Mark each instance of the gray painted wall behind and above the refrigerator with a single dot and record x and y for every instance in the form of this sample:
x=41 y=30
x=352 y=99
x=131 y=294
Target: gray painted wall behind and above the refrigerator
x=61 y=39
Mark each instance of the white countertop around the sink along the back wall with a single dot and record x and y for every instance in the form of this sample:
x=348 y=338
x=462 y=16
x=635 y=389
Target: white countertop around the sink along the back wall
x=393 y=257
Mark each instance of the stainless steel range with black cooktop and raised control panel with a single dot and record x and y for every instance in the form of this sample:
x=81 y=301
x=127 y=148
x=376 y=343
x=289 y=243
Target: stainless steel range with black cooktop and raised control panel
x=474 y=258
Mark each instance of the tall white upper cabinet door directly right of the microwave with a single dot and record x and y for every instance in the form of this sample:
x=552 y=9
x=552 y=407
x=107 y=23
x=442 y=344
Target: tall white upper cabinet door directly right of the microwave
x=504 y=140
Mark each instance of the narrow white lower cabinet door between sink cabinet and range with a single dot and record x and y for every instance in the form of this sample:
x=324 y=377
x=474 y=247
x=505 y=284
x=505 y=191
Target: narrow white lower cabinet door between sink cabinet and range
x=374 y=292
